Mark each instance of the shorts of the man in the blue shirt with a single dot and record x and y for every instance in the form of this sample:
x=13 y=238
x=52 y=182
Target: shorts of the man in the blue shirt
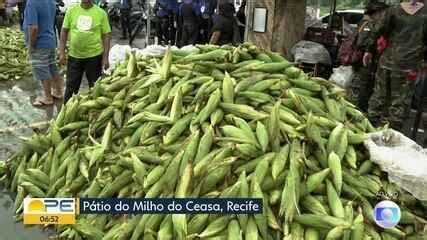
x=43 y=63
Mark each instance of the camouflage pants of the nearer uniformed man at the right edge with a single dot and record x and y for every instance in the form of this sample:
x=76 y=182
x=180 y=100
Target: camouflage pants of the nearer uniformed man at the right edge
x=391 y=100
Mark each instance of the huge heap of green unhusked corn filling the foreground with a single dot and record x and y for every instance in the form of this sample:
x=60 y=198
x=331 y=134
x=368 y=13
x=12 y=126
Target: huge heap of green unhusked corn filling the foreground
x=227 y=122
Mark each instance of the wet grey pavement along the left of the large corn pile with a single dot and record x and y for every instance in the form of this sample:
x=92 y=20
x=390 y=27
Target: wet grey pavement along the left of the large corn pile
x=18 y=118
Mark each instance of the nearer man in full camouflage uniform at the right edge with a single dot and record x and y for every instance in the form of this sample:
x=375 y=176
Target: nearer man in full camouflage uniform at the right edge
x=405 y=27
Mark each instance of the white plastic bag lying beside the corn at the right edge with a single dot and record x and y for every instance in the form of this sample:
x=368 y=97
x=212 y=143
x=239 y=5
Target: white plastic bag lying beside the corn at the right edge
x=403 y=159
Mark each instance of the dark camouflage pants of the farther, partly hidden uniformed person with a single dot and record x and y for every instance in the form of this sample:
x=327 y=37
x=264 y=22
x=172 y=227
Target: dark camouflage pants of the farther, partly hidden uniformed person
x=362 y=87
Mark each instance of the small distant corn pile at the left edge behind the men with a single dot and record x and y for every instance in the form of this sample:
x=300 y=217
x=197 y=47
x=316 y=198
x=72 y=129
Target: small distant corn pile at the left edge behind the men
x=13 y=55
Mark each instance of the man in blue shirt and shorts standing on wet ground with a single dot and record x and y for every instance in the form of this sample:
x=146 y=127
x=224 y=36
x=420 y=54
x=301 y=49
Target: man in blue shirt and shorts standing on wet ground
x=39 y=20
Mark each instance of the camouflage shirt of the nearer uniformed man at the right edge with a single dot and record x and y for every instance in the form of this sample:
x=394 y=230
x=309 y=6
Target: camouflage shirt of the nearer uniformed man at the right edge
x=406 y=35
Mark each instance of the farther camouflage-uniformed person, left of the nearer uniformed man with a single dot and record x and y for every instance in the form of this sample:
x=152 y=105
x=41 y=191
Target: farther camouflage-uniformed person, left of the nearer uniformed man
x=362 y=86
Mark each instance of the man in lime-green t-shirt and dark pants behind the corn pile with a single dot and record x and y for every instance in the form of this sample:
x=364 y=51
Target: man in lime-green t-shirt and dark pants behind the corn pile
x=87 y=28
